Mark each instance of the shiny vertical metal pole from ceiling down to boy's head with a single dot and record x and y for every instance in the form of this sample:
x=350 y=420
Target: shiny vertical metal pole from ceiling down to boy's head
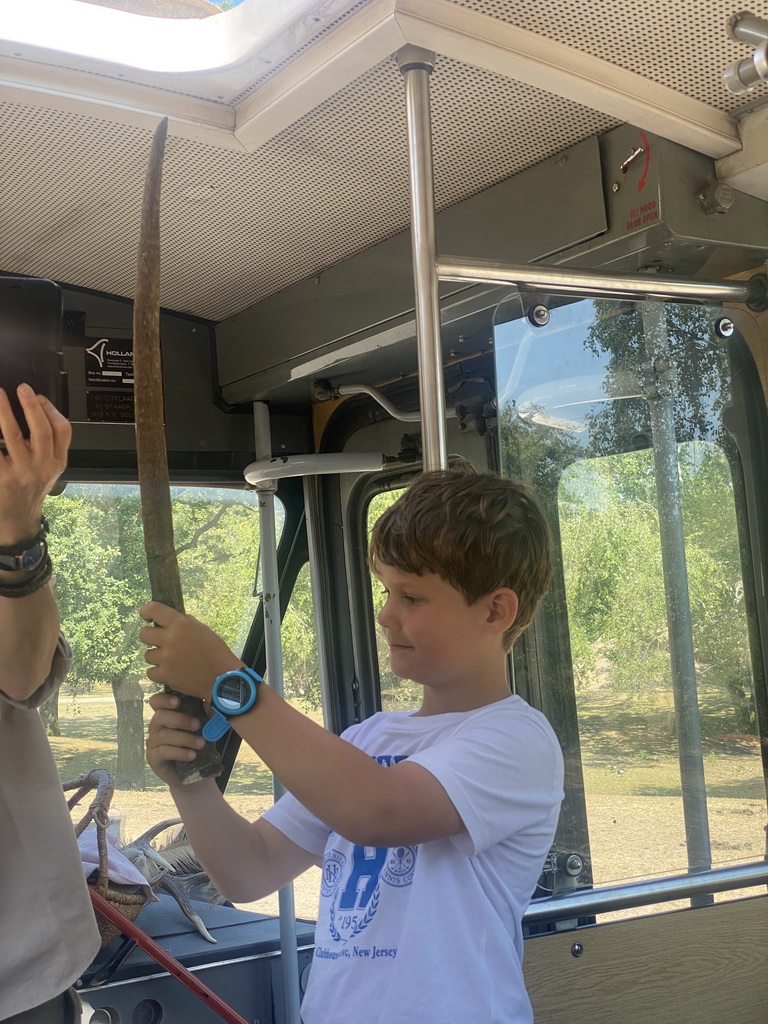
x=416 y=66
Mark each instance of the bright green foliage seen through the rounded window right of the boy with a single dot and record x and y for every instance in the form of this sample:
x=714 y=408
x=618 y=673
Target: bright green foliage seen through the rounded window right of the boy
x=615 y=579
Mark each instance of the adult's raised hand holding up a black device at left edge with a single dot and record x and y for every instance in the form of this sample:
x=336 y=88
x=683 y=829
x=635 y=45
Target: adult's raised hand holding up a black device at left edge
x=29 y=468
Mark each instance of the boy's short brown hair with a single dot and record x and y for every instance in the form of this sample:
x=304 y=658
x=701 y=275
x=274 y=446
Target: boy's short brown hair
x=477 y=531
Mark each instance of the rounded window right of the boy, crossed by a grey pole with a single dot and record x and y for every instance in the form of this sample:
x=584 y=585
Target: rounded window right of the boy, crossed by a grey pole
x=612 y=551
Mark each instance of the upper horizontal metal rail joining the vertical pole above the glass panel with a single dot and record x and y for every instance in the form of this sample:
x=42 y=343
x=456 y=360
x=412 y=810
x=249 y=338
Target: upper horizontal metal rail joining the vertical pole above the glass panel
x=564 y=281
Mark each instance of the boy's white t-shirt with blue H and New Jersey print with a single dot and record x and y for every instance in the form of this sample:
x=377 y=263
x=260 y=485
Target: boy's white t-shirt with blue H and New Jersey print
x=433 y=933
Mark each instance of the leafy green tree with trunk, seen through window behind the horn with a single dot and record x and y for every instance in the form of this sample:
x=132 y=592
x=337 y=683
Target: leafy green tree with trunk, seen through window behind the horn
x=98 y=545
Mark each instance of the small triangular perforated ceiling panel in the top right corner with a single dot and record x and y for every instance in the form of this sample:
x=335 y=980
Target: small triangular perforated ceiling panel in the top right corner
x=678 y=44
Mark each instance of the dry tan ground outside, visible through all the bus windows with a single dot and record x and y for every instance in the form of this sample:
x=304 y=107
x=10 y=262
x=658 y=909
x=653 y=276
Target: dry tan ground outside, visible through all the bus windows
x=631 y=777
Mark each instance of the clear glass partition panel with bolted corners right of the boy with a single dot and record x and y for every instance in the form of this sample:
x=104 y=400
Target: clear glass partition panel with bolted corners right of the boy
x=646 y=655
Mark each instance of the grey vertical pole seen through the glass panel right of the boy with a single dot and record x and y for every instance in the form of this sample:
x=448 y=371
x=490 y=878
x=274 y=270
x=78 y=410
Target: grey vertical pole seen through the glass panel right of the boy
x=661 y=402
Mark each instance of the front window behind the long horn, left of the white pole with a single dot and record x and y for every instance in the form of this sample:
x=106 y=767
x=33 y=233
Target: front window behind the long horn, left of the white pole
x=98 y=719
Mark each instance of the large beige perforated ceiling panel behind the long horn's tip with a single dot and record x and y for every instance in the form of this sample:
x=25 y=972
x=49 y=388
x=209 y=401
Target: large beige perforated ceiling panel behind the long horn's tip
x=240 y=227
